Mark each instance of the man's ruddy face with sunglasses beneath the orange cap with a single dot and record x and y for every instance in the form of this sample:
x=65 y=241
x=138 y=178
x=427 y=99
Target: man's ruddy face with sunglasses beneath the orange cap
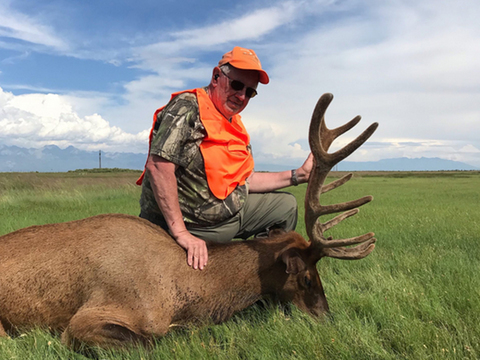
x=228 y=101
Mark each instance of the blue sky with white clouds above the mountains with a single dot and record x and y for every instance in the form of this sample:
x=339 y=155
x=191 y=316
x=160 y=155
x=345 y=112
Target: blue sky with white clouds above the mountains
x=90 y=74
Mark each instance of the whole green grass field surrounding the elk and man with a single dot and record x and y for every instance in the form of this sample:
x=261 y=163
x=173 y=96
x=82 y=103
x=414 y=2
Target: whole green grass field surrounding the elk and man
x=417 y=296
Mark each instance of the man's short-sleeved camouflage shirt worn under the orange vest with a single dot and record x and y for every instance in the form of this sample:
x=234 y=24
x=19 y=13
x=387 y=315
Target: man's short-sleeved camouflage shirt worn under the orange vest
x=176 y=137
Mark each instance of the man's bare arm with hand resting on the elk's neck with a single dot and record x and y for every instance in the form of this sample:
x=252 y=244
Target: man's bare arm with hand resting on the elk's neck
x=164 y=186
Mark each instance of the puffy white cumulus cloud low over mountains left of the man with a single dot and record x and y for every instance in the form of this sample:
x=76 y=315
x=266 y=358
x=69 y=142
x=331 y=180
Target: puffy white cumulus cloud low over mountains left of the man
x=36 y=120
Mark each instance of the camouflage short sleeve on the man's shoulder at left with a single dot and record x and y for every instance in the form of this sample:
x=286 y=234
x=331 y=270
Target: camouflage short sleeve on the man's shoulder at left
x=179 y=132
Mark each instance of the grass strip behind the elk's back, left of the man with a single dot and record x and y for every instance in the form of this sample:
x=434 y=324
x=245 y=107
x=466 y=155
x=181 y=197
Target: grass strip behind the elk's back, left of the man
x=40 y=198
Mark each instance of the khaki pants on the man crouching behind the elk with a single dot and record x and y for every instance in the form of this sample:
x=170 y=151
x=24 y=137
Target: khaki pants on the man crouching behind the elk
x=261 y=213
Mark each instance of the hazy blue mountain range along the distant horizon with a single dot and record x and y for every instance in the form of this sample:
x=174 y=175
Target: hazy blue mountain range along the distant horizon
x=53 y=159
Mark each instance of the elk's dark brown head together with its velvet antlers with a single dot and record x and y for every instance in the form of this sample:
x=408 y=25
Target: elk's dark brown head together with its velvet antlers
x=301 y=263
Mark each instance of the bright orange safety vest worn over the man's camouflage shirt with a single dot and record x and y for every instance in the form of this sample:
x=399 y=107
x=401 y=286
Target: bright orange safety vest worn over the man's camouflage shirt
x=228 y=162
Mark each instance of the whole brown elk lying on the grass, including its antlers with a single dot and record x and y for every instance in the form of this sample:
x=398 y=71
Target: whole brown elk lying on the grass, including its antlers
x=114 y=278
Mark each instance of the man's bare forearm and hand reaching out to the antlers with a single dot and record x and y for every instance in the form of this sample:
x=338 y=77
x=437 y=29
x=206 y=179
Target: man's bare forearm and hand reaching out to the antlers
x=266 y=182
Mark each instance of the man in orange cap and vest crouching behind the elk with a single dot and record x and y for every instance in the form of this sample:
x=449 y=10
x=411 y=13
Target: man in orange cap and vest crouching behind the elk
x=199 y=182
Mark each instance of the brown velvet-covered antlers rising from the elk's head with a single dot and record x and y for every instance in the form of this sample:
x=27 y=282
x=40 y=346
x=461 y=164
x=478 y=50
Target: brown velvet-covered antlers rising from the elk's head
x=320 y=139
